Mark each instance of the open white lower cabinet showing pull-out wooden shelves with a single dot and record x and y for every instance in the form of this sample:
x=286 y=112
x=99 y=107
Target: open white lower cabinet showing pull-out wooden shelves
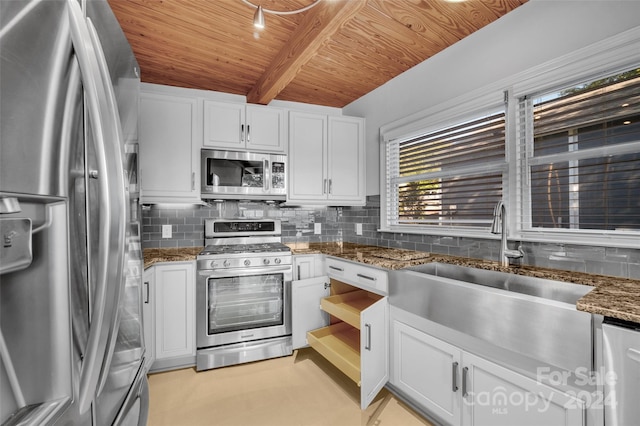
x=348 y=326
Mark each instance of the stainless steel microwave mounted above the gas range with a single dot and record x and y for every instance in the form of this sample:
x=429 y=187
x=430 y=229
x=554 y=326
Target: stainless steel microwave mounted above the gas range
x=243 y=175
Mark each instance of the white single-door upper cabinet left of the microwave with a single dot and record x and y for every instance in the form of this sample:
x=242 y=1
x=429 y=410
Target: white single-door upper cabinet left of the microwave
x=169 y=147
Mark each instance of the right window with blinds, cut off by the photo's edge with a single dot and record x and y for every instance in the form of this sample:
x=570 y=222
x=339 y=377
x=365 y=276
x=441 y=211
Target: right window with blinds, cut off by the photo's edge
x=583 y=156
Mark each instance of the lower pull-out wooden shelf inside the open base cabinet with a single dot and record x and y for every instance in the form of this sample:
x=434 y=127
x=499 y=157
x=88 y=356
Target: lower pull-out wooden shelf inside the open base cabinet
x=339 y=344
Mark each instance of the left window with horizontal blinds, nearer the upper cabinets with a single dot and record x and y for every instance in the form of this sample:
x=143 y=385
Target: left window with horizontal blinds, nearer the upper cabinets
x=452 y=177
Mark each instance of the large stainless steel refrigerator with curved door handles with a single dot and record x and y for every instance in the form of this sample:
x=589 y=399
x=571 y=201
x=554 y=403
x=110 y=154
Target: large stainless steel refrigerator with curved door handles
x=71 y=341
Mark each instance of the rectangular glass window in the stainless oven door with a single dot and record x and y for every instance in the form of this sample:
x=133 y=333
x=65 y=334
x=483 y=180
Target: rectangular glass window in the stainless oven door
x=245 y=302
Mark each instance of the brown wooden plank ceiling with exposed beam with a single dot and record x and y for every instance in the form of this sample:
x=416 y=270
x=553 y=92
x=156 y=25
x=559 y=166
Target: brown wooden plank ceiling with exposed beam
x=331 y=54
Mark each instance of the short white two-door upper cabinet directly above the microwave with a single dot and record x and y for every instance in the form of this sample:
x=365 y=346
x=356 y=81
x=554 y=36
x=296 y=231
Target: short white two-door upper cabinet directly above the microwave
x=244 y=127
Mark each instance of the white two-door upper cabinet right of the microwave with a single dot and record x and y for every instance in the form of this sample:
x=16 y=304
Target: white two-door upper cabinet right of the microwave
x=326 y=159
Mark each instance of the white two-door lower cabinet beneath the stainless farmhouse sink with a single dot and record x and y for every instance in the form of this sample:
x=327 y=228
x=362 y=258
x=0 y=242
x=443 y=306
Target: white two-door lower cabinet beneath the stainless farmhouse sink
x=460 y=388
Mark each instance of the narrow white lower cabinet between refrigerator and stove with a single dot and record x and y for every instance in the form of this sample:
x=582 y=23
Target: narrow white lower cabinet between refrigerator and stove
x=174 y=303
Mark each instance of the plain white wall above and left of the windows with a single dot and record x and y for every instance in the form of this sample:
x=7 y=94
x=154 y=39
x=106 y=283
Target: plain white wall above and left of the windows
x=534 y=33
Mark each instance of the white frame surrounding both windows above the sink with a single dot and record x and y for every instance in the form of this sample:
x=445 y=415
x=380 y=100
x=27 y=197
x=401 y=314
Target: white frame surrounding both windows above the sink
x=607 y=57
